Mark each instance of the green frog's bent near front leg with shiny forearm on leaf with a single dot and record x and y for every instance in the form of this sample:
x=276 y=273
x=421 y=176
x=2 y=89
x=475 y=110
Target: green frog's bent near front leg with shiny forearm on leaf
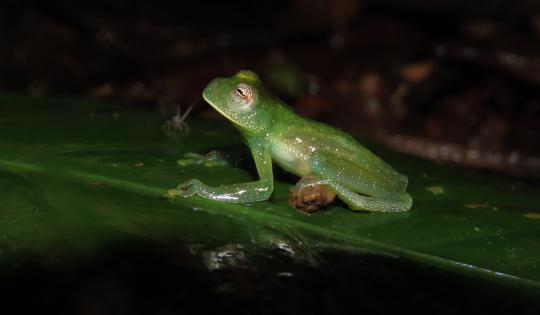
x=238 y=193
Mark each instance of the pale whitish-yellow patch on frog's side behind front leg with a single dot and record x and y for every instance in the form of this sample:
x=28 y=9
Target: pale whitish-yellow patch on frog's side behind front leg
x=292 y=160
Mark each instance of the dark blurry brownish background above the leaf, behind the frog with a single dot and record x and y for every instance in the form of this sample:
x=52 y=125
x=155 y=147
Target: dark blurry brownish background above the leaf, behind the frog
x=448 y=80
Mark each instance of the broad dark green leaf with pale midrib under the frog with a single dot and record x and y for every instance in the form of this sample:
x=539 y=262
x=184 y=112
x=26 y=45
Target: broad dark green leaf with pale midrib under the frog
x=78 y=175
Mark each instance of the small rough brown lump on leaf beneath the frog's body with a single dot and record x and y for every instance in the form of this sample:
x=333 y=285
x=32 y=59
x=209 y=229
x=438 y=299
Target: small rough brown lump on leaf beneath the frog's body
x=311 y=194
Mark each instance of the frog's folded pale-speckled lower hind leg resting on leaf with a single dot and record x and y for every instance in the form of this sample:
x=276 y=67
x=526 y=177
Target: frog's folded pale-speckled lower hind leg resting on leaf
x=391 y=203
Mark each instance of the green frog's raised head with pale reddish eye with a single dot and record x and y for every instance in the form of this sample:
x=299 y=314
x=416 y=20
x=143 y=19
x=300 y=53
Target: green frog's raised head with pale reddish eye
x=241 y=99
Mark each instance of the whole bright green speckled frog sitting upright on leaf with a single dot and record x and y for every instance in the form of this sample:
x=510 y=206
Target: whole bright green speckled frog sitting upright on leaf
x=275 y=133
